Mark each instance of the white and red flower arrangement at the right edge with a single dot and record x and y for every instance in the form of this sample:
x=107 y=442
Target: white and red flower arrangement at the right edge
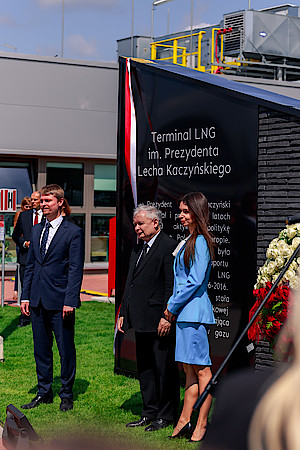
x=271 y=318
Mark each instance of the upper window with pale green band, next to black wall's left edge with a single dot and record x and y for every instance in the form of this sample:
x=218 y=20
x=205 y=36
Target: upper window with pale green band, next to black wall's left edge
x=105 y=185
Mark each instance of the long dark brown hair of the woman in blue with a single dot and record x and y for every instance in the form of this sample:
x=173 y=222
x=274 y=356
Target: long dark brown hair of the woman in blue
x=198 y=205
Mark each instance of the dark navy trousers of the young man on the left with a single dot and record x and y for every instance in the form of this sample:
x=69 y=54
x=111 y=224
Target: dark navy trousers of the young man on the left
x=44 y=324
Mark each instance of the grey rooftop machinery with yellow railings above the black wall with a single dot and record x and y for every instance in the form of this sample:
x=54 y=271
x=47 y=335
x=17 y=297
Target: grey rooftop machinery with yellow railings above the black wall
x=259 y=48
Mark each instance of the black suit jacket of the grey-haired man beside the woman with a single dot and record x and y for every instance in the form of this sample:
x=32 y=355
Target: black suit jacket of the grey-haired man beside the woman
x=149 y=288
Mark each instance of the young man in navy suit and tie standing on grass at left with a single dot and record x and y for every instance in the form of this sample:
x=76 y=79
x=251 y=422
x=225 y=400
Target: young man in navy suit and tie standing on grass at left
x=51 y=293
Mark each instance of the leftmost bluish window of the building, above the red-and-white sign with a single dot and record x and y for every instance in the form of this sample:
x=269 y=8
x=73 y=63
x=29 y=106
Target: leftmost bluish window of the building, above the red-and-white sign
x=16 y=175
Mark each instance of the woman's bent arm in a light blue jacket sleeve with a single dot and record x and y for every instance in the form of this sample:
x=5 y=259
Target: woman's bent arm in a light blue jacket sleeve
x=195 y=277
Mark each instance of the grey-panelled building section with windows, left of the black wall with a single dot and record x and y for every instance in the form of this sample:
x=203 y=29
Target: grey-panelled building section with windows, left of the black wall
x=58 y=125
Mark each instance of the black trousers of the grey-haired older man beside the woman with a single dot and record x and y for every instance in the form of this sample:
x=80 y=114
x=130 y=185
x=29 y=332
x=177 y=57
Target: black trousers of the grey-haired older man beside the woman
x=158 y=375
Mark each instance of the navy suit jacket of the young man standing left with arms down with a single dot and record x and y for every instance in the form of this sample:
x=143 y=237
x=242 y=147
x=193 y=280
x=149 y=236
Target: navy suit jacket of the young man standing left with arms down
x=56 y=280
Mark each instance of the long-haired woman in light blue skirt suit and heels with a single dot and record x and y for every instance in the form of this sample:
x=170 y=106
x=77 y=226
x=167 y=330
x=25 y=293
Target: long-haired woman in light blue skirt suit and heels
x=192 y=309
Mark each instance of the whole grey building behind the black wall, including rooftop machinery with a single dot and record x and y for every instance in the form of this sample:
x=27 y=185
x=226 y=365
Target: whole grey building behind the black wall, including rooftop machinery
x=59 y=116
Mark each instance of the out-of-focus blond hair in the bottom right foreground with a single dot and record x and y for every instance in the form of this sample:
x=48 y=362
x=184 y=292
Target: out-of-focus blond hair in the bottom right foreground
x=275 y=423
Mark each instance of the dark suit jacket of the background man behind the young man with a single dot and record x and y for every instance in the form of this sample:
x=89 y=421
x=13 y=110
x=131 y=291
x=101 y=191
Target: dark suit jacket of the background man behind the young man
x=22 y=232
